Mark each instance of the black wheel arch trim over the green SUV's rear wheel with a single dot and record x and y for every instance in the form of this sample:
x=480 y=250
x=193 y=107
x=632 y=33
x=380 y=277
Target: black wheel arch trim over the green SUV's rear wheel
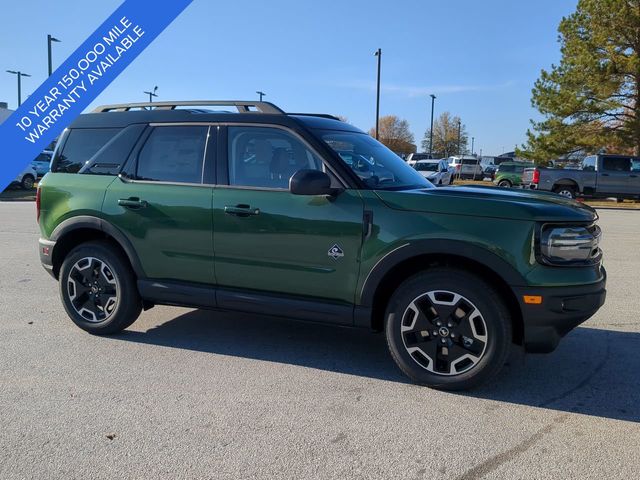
x=74 y=231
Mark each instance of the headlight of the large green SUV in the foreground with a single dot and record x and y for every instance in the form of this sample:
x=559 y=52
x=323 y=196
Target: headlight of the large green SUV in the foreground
x=575 y=245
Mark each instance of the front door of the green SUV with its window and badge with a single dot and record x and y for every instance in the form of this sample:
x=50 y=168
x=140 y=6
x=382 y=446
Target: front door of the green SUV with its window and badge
x=271 y=241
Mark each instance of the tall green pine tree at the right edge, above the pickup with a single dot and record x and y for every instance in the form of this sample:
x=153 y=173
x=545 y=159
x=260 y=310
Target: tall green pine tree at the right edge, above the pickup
x=591 y=100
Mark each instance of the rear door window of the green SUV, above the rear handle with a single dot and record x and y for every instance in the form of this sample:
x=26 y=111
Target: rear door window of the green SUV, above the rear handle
x=173 y=154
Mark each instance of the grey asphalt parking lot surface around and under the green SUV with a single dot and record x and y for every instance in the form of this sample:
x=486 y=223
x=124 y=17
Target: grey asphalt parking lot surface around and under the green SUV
x=197 y=394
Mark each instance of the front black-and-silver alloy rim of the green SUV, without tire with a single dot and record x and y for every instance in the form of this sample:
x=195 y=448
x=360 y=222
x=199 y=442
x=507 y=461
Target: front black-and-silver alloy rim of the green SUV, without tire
x=444 y=332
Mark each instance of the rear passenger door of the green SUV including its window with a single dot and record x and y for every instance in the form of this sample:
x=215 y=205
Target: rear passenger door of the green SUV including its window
x=163 y=203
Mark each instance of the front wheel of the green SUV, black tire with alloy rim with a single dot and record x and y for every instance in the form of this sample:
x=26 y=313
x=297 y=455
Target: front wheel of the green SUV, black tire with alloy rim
x=487 y=357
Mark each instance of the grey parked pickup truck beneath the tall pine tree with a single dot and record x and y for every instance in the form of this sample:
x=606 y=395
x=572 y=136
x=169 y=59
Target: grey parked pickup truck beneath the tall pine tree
x=599 y=176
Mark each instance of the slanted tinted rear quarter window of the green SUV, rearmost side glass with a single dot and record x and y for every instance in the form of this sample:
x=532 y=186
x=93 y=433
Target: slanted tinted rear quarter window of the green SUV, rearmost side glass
x=80 y=146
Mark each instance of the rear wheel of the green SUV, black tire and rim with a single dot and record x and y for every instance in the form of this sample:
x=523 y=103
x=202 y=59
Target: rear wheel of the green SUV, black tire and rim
x=115 y=280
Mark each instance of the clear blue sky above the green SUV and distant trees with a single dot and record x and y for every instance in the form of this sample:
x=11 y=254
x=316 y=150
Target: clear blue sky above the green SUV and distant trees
x=480 y=58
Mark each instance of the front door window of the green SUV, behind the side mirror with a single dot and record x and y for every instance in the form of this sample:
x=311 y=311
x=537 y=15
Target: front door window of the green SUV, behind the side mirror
x=266 y=157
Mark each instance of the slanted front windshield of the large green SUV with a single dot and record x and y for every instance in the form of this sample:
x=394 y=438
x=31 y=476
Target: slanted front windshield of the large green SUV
x=377 y=166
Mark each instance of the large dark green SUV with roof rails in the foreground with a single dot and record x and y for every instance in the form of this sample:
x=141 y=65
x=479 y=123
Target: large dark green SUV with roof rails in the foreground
x=256 y=210
